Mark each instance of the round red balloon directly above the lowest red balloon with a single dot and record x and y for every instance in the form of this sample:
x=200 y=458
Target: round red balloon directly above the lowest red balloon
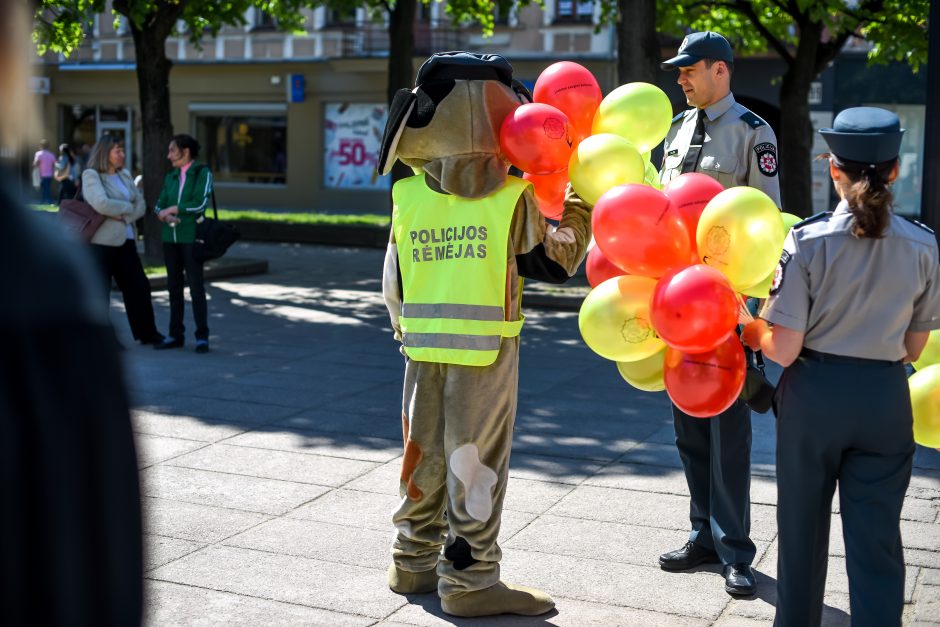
x=694 y=309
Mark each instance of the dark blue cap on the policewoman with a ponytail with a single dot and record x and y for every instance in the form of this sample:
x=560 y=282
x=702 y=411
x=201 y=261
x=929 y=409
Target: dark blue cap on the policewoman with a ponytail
x=865 y=134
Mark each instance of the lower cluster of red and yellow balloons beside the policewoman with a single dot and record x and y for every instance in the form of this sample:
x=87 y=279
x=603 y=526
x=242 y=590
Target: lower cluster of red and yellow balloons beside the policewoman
x=667 y=271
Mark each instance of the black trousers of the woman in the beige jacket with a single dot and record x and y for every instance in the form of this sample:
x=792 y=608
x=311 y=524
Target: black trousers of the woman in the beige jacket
x=123 y=264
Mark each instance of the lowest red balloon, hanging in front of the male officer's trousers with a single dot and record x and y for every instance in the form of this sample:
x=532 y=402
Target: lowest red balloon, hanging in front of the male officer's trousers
x=706 y=384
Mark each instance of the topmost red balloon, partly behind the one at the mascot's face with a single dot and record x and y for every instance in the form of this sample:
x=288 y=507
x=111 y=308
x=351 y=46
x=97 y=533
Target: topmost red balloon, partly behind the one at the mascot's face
x=573 y=90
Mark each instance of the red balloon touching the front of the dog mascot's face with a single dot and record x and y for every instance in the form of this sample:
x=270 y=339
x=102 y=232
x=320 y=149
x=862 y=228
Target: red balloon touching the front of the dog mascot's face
x=536 y=138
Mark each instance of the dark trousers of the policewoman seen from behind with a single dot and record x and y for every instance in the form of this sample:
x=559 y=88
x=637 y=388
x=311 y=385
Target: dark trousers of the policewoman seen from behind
x=845 y=422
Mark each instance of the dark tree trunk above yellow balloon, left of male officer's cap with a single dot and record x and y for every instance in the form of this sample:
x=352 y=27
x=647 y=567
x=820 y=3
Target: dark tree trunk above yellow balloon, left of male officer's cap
x=637 y=42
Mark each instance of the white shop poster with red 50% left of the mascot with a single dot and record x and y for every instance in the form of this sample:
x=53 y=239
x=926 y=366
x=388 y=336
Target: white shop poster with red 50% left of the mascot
x=353 y=136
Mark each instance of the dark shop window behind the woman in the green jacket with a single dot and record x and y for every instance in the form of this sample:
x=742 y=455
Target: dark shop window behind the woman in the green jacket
x=244 y=147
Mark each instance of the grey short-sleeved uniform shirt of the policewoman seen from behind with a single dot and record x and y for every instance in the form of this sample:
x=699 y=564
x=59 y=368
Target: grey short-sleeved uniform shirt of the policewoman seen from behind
x=856 y=296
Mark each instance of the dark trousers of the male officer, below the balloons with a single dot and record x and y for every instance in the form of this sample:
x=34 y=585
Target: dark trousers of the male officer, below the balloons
x=716 y=456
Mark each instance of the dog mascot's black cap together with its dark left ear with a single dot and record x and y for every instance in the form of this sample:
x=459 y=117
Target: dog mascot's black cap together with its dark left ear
x=436 y=77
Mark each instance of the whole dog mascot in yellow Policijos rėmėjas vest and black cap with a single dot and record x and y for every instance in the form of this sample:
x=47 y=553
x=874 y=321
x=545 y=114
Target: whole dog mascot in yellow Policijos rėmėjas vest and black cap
x=463 y=235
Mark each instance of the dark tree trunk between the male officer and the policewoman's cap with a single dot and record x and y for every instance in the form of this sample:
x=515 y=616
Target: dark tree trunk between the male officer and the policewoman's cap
x=796 y=131
